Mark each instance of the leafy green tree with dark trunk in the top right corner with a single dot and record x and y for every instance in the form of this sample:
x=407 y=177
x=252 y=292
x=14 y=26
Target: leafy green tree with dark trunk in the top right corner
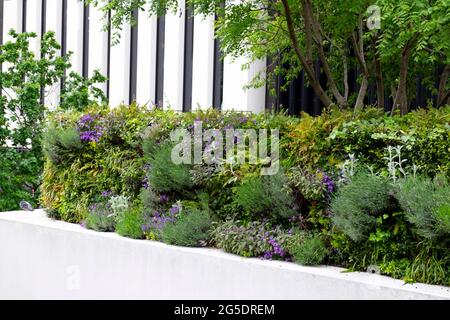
x=414 y=40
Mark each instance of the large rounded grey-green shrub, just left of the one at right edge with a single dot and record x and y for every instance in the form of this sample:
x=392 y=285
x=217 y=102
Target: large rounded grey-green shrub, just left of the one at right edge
x=356 y=205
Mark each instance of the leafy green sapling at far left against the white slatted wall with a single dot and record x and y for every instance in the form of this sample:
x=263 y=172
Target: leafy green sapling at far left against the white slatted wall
x=22 y=78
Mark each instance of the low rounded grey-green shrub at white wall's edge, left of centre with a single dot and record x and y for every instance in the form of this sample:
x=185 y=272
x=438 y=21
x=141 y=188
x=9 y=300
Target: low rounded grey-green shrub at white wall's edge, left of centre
x=190 y=229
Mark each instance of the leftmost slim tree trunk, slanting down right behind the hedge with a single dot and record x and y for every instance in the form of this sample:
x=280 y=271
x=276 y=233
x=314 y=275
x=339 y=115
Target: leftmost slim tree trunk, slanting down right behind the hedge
x=315 y=84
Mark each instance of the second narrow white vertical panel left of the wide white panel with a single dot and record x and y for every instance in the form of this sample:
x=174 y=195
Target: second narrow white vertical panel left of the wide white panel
x=174 y=59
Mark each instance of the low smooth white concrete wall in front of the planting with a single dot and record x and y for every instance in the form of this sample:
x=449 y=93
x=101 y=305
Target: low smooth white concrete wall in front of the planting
x=44 y=259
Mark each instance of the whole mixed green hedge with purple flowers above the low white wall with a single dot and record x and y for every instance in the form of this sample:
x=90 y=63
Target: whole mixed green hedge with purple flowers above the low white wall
x=310 y=212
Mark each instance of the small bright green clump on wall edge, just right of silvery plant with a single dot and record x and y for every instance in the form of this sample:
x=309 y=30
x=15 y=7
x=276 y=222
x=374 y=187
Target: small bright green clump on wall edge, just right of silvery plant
x=129 y=223
